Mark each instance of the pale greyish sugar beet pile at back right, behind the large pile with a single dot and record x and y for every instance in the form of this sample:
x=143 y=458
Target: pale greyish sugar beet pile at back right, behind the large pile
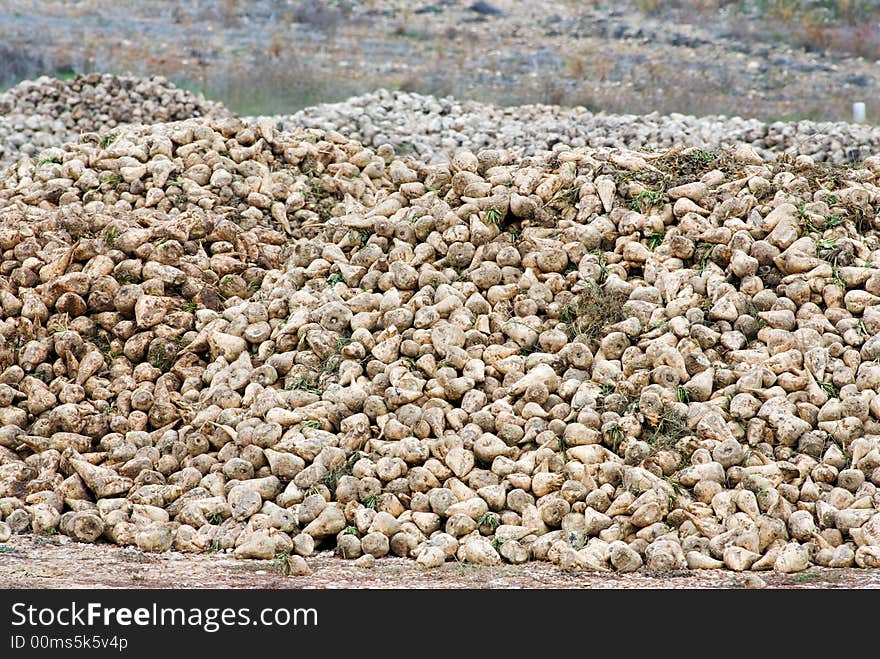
x=435 y=128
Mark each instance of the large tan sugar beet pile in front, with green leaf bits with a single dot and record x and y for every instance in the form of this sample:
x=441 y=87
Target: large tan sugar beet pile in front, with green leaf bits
x=220 y=337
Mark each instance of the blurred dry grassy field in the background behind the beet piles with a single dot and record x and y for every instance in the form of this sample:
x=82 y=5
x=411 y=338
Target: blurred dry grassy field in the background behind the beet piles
x=265 y=57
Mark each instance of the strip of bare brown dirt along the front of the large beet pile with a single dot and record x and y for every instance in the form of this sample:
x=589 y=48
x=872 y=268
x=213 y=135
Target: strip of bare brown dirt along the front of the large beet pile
x=41 y=562
